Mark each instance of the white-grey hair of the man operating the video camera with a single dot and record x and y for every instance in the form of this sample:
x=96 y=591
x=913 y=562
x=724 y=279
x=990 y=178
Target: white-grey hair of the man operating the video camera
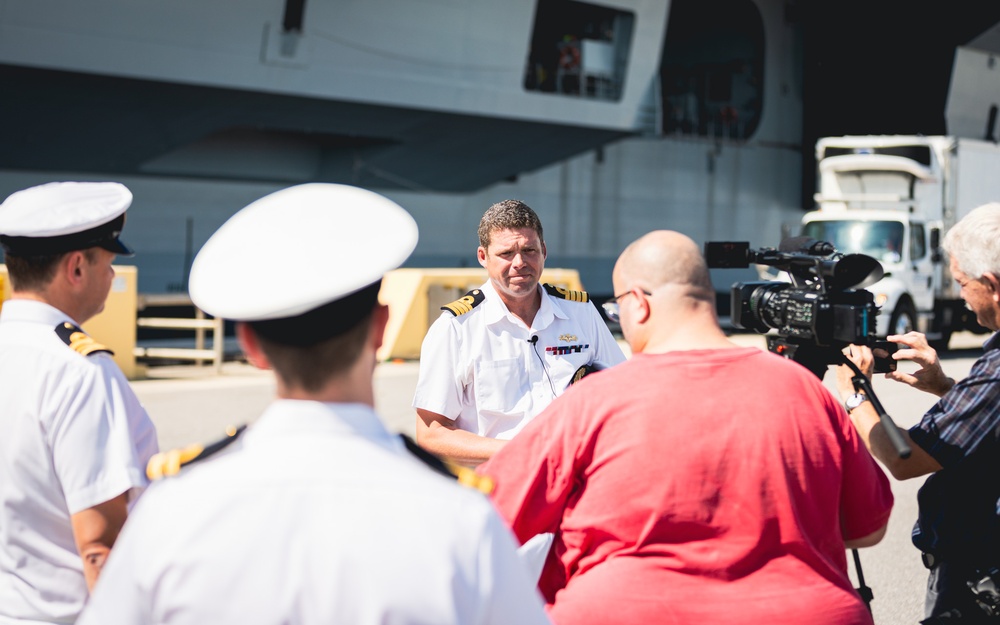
x=974 y=242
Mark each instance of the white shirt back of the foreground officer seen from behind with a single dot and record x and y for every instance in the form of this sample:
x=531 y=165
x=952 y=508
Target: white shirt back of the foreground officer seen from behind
x=316 y=515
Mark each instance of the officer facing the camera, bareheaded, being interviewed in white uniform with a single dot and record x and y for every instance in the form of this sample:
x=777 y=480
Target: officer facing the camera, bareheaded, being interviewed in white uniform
x=497 y=357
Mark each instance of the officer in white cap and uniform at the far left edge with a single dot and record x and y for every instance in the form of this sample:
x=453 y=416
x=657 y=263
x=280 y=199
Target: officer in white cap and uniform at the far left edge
x=75 y=440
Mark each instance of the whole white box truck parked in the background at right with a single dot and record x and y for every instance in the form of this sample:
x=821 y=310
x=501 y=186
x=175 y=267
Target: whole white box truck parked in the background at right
x=894 y=197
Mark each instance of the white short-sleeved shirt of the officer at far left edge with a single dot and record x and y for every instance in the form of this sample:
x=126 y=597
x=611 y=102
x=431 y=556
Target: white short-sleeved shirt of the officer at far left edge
x=72 y=435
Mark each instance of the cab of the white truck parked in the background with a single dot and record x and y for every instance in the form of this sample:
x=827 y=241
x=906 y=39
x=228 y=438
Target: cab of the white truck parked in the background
x=884 y=196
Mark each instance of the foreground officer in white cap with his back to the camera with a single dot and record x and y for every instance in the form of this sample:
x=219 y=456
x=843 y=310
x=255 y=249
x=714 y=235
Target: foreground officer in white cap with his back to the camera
x=316 y=514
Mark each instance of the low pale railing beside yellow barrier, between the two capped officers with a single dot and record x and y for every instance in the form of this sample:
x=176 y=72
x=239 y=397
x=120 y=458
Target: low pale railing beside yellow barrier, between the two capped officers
x=200 y=324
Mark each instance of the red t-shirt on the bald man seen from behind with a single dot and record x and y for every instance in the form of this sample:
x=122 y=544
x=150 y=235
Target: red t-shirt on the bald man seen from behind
x=710 y=486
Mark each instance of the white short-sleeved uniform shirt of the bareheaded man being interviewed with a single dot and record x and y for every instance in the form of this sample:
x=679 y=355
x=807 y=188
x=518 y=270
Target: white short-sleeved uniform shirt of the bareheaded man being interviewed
x=482 y=370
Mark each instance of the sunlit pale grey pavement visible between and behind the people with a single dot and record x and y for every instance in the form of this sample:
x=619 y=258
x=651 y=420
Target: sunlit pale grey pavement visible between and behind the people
x=191 y=404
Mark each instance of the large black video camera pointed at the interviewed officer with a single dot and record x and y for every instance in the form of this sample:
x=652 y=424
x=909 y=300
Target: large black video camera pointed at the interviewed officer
x=820 y=311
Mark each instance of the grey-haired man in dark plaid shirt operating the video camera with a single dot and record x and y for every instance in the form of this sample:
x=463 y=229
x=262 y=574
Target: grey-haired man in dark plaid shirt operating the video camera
x=957 y=441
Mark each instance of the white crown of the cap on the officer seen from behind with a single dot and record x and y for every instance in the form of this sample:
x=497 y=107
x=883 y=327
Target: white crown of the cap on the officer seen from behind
x=300 y=248
